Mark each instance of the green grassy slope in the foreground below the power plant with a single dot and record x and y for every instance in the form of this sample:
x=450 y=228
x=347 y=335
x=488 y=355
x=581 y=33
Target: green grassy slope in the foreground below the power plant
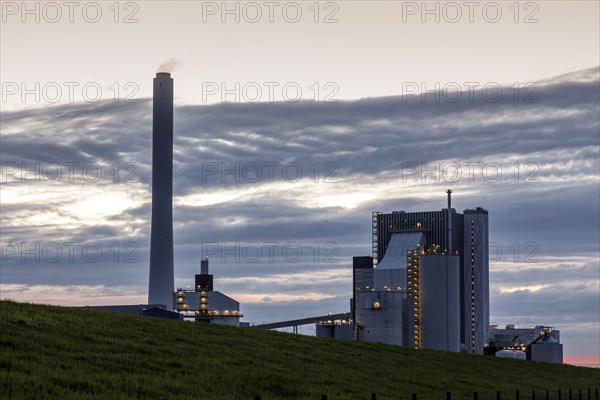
x=51 y=352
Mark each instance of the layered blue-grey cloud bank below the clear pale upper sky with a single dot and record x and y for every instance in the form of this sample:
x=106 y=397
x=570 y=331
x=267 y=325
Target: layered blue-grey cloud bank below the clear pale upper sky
x=280 y=195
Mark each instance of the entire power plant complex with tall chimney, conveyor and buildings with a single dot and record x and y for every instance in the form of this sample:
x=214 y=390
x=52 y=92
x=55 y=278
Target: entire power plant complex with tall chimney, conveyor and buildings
x=425 y=284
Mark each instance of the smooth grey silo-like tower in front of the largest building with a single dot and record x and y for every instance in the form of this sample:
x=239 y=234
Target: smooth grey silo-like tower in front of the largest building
x=439 y=311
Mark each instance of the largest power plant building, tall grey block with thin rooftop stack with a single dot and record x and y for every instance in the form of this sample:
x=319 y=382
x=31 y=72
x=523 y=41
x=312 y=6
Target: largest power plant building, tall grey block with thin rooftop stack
x=427 y=282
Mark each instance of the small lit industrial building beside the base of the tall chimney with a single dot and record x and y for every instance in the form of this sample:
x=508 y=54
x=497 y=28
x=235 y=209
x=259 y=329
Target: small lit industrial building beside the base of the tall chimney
x=203 y=304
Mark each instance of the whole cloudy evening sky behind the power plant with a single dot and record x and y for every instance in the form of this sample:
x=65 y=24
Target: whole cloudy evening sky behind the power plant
x=293 y=122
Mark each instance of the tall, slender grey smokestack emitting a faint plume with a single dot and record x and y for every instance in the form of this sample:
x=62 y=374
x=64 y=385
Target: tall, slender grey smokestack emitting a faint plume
x=161 y=285
